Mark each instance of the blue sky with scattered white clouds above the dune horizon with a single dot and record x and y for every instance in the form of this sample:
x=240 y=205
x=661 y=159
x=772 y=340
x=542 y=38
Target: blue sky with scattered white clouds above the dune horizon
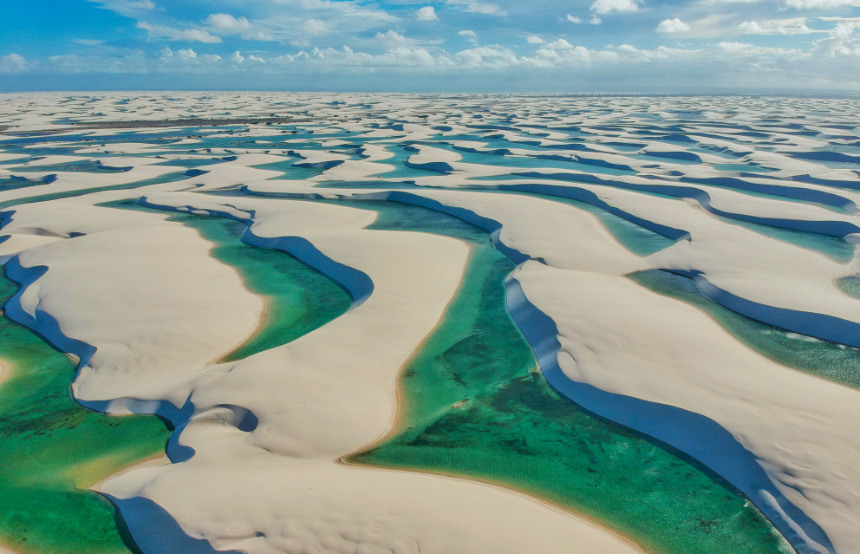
x=555 y=46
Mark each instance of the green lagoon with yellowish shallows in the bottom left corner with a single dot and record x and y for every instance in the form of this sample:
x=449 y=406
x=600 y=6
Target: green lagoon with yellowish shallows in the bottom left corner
x=53 y=449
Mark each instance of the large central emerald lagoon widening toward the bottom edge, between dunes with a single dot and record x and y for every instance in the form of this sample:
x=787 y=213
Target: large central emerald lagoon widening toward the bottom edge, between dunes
x=475 y=404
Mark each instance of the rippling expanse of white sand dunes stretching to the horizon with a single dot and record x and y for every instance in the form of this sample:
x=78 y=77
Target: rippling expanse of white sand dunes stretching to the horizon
x=256 y=457
